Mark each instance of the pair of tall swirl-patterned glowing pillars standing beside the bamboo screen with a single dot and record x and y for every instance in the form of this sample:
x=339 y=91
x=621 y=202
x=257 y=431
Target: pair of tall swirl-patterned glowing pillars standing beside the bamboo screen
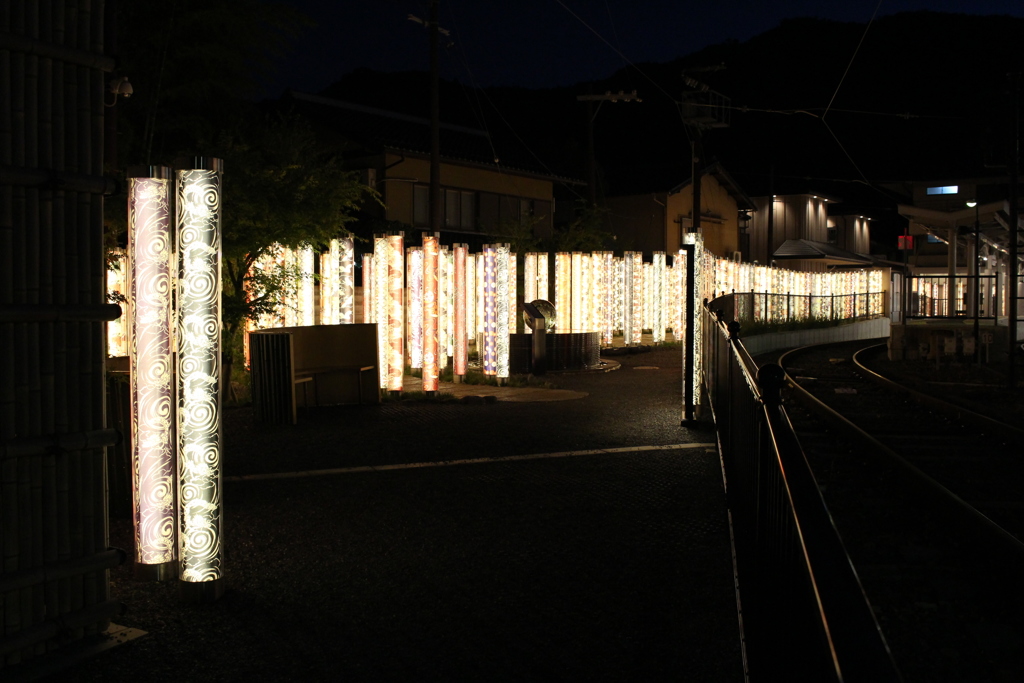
x=176 y=398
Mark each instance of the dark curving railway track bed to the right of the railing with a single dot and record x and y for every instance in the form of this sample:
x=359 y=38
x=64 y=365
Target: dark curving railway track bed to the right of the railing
x=929 y=500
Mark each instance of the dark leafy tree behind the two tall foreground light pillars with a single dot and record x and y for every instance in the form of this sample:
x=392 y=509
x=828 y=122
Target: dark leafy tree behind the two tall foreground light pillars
x=195 y=67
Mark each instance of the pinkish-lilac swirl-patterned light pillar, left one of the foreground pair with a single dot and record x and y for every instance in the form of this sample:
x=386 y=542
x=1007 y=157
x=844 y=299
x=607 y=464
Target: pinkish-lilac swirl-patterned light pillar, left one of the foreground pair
x=150 y=285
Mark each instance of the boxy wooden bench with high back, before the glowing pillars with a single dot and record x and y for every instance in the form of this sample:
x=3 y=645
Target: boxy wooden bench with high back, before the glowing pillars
x=324 y=360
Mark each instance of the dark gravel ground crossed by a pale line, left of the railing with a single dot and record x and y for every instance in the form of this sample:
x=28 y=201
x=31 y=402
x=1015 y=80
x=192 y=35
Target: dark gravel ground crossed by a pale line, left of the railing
x=607 y=567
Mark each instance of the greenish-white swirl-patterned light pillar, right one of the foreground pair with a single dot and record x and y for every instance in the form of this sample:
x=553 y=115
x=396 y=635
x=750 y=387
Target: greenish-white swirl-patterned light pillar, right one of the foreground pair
x=200 y=521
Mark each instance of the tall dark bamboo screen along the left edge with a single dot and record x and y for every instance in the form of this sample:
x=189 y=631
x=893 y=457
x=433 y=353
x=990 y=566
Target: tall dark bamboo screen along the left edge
x=54 y=569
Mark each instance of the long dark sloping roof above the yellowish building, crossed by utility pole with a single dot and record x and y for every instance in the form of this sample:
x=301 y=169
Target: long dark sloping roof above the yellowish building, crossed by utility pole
x=374 y=131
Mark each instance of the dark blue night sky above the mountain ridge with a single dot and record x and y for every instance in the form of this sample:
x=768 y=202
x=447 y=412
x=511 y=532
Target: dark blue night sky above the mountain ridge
x=549 y=44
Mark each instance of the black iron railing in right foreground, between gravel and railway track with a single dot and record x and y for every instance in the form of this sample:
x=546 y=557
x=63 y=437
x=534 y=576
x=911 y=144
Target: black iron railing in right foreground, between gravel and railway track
x=805 y=615
